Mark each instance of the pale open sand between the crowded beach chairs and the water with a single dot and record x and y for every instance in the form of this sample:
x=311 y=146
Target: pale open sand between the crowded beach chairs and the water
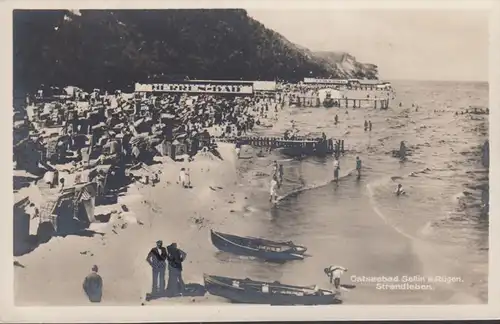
x=119 y=247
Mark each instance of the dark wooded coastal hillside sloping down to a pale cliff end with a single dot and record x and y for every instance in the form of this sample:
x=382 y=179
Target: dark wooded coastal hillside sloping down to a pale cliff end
x=112 y=49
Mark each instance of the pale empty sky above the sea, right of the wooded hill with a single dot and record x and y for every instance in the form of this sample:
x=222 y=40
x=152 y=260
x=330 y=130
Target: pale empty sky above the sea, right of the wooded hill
x=405 y=44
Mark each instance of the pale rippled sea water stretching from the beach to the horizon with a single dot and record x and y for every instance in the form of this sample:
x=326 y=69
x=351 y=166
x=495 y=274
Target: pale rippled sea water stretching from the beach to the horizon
x=361 y=224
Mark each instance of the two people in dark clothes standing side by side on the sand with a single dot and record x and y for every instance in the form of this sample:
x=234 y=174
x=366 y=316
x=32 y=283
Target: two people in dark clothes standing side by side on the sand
x=158 y=258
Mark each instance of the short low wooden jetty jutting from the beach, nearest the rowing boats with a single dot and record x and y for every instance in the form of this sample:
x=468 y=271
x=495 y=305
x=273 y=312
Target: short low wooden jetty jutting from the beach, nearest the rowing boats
x=296 y=146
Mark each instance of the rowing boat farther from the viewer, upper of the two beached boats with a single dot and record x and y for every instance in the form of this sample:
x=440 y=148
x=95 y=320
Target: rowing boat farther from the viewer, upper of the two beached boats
x=226 y=245
